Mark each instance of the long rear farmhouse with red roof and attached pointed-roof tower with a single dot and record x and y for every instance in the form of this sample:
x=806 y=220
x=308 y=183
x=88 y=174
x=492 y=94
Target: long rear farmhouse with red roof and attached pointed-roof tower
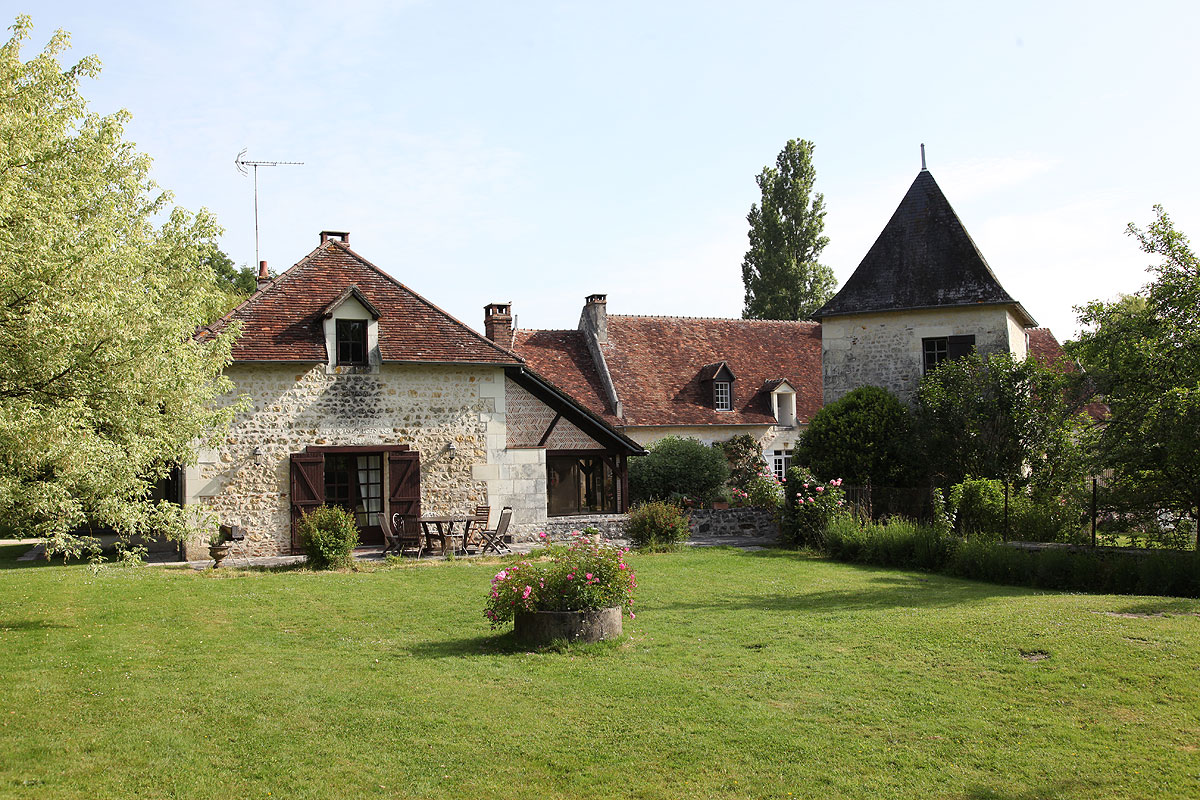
x=922 y=294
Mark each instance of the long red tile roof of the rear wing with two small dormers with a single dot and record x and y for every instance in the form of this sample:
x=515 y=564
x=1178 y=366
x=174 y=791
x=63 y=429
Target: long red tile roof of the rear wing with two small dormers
x=656 y=364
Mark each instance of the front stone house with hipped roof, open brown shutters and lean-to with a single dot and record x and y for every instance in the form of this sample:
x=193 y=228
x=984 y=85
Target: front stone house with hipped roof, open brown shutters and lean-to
x=364 y=394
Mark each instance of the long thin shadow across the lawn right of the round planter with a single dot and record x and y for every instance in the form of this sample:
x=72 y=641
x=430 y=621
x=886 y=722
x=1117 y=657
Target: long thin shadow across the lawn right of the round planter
x=886 y=592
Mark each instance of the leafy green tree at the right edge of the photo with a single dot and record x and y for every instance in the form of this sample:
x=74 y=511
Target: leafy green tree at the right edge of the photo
x=1143 y=354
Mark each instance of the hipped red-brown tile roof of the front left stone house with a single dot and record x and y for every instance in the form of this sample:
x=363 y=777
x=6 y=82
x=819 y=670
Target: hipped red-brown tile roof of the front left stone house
x=283 y=322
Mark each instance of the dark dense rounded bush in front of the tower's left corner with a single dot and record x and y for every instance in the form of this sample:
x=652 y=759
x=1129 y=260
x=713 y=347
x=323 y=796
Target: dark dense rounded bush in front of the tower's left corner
x=863 y=437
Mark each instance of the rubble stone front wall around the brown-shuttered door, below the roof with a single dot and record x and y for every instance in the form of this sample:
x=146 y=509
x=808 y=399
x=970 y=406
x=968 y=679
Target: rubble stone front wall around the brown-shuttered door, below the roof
x=297 y=406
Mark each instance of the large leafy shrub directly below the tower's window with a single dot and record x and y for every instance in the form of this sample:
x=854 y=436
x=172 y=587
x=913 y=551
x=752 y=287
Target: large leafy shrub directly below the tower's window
x=1004 y=419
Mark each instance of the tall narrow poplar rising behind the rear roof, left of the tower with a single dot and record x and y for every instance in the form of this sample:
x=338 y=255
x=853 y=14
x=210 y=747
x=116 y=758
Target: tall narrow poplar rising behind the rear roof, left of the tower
x=781 y=272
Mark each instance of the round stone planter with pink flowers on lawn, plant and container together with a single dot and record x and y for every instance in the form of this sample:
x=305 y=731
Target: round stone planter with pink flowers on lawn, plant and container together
x=579 y=593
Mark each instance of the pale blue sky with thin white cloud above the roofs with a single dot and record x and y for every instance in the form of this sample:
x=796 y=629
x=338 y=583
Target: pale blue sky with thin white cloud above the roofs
x=536 y=153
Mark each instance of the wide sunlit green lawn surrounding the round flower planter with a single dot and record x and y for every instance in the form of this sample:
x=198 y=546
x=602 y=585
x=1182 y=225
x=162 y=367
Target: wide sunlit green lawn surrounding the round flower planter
x=745 y=676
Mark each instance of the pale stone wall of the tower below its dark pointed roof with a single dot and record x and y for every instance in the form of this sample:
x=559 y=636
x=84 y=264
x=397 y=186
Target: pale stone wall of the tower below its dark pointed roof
x=886 y=350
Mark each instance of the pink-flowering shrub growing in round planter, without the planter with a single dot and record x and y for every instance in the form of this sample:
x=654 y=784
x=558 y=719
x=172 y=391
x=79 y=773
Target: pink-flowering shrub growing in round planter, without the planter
x=584 y=576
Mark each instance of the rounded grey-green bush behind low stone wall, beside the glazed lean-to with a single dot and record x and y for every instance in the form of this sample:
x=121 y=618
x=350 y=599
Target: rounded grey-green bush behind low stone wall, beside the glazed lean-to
x=677 y=467
